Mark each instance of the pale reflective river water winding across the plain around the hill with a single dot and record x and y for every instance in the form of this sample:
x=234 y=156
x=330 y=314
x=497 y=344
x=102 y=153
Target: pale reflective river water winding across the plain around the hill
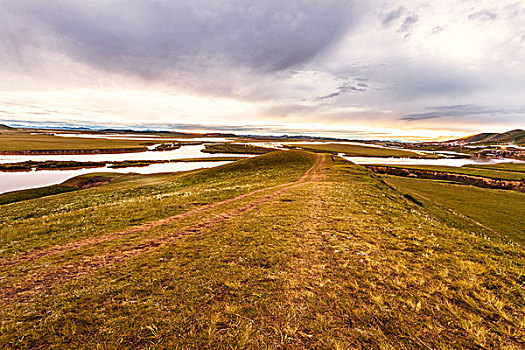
x=11 y=181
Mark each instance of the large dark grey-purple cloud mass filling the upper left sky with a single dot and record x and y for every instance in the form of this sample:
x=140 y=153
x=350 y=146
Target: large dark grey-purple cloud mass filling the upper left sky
x=151 y=38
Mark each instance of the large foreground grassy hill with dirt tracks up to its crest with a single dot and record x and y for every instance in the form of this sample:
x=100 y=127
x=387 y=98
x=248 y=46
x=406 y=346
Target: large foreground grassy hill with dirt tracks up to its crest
x=287 y=250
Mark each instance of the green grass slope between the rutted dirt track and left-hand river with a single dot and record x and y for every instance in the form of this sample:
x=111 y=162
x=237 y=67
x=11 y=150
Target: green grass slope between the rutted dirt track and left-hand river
x=132 y=200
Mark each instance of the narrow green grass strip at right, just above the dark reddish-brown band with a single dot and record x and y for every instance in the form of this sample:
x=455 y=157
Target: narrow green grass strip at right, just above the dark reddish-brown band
x=492 y=173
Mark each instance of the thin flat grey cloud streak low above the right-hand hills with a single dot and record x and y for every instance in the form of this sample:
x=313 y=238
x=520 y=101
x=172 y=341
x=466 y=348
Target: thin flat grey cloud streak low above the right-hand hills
x=458 y=111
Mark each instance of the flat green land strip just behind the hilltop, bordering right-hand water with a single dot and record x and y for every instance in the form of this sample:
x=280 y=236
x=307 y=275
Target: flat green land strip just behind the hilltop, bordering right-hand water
x=364 y=151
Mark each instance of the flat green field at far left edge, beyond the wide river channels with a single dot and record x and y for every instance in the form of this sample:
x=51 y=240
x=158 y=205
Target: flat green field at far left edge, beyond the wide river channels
x=18 y=141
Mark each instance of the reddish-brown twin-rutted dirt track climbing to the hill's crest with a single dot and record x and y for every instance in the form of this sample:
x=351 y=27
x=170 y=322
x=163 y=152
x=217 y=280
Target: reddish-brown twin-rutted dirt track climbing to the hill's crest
x=56 y=274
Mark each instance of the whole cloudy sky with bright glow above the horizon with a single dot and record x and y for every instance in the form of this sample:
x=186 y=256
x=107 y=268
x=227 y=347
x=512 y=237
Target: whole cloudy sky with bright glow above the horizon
x=408 y=70
